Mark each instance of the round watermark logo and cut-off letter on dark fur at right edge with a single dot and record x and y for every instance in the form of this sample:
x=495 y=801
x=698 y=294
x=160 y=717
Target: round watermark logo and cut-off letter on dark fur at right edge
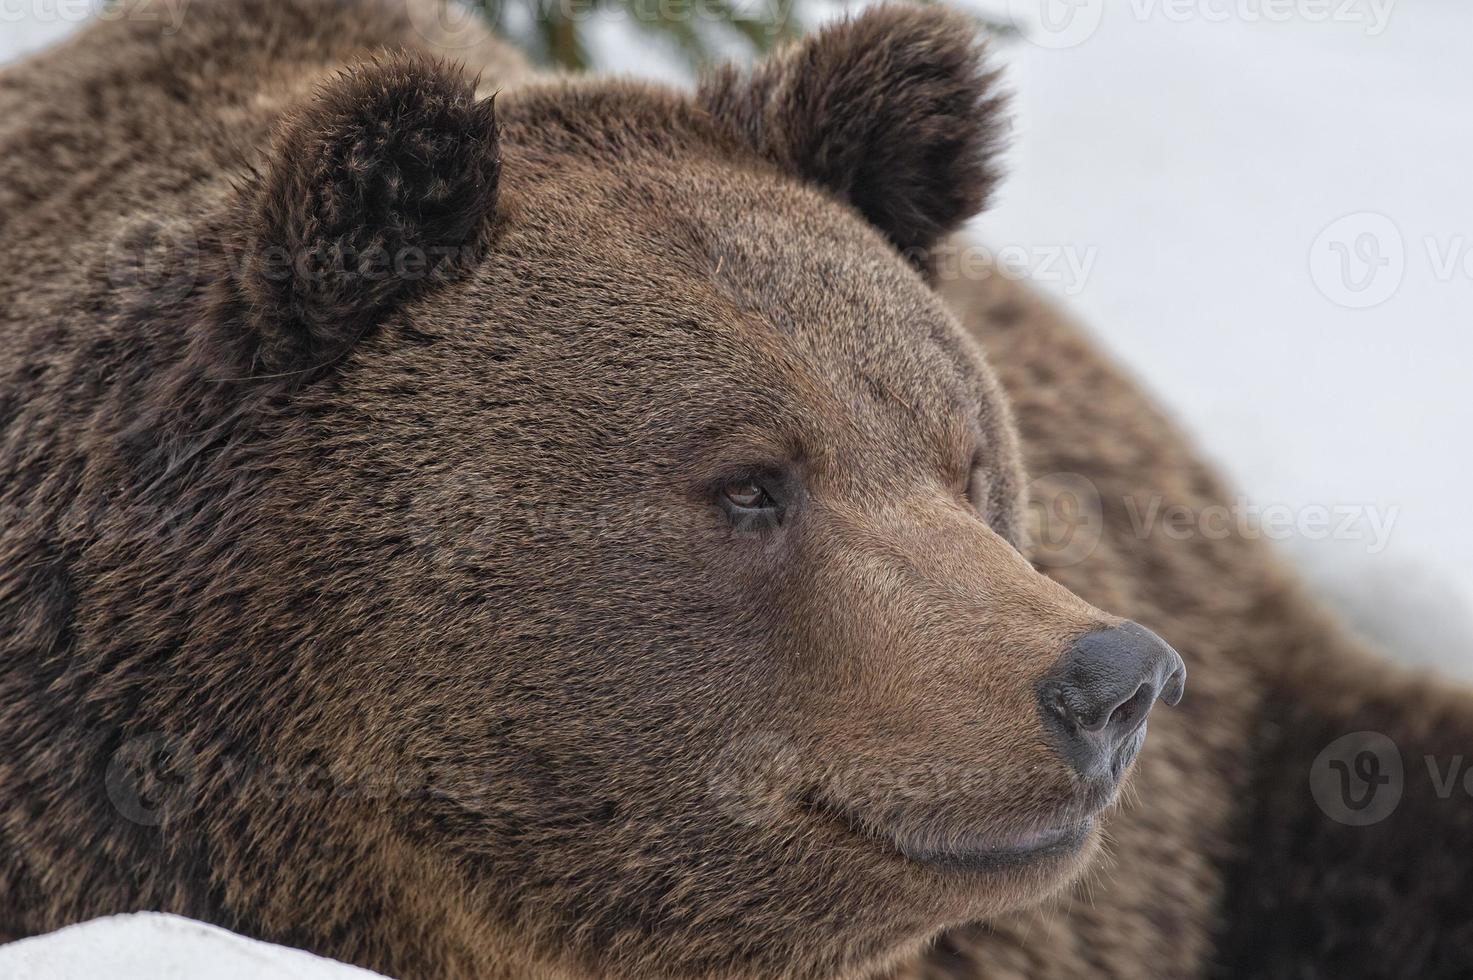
x=1360 y=779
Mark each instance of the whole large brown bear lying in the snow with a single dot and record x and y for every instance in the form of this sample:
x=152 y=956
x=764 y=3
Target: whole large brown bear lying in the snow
x=481 y=525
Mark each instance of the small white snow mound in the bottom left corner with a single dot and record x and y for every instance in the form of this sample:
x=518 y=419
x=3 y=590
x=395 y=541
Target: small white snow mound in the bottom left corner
x=157 y=947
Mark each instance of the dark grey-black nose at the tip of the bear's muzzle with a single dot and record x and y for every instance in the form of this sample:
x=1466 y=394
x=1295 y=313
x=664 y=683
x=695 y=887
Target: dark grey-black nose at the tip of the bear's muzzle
x=1095 y=702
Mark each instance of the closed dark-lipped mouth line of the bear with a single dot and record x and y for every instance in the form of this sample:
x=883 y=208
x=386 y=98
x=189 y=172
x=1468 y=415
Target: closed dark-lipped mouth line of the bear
x=960 y=851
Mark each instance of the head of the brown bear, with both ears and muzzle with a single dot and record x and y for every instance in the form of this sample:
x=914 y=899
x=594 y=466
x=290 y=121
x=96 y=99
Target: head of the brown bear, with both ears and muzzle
x=615 y=471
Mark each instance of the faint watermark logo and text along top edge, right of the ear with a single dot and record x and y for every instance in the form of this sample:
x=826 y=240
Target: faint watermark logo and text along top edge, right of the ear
x=1069 y=23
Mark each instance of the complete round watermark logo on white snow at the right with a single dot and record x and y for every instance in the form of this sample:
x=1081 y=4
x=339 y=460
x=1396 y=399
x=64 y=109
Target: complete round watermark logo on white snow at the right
x=1359 y=260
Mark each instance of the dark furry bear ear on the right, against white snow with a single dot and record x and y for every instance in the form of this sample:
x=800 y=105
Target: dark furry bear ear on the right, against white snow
x=892 y=111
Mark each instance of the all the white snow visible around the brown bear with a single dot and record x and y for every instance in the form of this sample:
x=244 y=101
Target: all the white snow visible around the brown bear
x=1265 y=209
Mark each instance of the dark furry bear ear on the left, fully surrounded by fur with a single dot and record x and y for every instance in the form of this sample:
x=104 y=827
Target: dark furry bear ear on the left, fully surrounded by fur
x=381 y=186
